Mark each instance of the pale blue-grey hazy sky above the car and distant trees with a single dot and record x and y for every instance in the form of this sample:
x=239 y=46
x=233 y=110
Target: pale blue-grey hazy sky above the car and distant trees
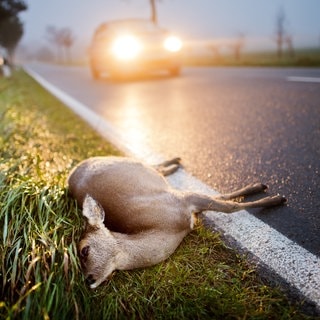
x=193 y=20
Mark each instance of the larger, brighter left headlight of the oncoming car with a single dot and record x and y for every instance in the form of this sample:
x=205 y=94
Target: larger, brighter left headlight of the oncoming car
x=126 y=47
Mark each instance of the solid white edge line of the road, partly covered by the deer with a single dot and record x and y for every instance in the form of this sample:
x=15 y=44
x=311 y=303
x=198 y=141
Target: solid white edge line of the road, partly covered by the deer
x=297 y=266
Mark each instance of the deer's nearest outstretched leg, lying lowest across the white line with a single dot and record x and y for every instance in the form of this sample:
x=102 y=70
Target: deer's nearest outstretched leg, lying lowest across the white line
x=201 y=203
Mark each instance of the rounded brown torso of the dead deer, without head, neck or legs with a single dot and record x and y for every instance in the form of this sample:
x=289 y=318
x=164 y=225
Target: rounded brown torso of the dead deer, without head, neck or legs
x=129 y=193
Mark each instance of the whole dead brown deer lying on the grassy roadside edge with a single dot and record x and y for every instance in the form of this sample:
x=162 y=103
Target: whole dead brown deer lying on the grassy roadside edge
x=134 y=218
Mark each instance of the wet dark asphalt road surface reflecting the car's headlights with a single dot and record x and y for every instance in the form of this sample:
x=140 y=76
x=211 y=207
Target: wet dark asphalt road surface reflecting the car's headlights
x=231 y=126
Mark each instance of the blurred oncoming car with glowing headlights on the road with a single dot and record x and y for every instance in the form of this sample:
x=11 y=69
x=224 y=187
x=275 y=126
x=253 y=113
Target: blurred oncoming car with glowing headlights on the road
x=123 y=47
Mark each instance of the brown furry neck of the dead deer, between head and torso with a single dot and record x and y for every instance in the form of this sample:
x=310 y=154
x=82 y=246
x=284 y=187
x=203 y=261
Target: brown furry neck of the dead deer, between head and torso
x=145 y=249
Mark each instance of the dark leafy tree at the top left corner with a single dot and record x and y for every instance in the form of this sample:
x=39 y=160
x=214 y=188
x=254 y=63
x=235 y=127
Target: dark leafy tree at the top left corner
x=11 y=27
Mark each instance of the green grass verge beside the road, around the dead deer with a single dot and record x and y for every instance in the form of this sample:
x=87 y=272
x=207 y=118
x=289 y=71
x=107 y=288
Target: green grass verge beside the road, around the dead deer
x=40 y=225
